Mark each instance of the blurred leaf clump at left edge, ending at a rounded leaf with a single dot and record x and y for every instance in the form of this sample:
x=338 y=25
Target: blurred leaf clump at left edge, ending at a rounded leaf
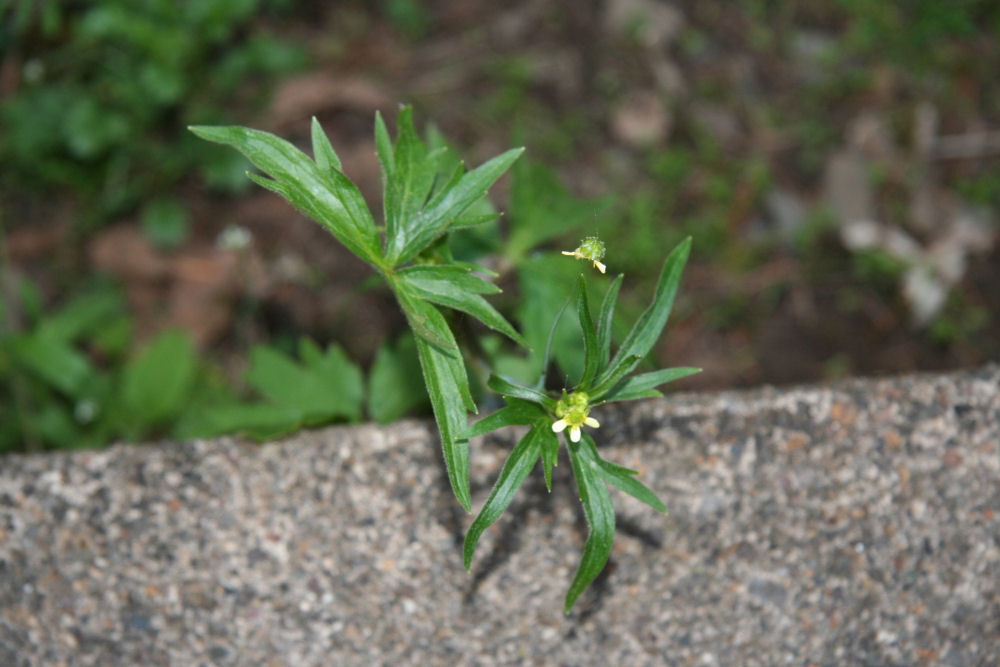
x=69 y=380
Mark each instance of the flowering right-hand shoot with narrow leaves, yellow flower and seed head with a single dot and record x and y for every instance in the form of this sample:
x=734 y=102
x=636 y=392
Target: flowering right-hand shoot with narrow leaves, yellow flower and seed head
x=604 y=379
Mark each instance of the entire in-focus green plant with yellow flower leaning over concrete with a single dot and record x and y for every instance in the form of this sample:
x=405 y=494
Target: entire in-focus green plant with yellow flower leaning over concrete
x=428 y=197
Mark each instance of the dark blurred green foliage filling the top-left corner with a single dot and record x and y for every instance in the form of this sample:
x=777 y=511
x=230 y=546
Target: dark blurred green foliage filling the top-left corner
x=105 y=89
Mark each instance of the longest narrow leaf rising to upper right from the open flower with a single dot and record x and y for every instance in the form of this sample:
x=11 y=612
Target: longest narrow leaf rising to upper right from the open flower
x=650 y=324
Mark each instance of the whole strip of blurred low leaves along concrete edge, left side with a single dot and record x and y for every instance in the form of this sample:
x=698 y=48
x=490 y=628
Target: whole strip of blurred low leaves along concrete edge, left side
x=71 y=377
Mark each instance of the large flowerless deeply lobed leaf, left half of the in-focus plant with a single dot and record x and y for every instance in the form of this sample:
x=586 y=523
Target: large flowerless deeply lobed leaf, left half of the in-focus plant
x=427 y=193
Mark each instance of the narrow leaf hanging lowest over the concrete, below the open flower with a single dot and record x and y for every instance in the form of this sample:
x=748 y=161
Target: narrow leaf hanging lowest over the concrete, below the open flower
x=600 y=515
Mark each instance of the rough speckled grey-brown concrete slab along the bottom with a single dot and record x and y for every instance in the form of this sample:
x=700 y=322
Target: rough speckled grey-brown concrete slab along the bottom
x=855 y=524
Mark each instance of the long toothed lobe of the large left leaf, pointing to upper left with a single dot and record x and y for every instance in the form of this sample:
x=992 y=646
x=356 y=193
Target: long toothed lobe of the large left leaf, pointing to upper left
x=322 y=193
